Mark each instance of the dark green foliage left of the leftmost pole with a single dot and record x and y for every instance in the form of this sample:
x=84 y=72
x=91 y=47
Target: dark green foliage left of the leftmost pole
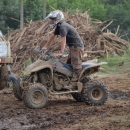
x=8 y=9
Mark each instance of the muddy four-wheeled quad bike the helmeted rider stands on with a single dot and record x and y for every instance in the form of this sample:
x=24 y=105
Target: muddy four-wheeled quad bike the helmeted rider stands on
x=50 y=75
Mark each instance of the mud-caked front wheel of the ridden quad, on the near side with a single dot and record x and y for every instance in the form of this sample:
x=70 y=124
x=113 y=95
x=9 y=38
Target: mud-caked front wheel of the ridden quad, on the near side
x=35 y=96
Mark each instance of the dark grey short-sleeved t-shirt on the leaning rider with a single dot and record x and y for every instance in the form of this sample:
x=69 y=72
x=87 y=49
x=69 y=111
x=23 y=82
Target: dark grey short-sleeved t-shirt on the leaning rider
x=72 y=37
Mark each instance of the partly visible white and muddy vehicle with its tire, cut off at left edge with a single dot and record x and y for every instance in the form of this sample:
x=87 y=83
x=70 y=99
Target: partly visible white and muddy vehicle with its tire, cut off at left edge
x=5 y=61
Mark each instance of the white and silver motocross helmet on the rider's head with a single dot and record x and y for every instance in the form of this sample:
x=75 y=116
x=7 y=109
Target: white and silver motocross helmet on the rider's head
x=58 y=15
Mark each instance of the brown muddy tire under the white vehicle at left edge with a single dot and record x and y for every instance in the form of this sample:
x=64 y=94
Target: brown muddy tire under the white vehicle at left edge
x=3 y=76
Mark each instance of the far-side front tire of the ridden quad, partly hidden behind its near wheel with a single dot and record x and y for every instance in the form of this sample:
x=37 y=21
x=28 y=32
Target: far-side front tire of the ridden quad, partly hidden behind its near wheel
x=17 y=90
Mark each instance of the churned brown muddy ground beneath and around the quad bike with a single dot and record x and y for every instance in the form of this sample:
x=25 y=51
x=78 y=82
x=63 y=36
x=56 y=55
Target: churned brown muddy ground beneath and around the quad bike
x=64 y=113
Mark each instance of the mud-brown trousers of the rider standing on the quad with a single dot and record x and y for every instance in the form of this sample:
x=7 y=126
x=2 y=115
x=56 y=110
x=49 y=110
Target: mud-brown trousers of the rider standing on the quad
x=75 y=59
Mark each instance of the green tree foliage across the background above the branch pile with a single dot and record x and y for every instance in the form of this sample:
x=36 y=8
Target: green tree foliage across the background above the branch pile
x=116 y=10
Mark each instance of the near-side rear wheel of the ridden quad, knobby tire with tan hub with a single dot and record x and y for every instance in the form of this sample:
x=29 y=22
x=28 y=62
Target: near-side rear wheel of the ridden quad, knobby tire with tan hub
x=95 y=93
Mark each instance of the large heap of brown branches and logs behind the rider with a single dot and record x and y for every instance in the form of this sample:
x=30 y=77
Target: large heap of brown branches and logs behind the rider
x=34 y=34
